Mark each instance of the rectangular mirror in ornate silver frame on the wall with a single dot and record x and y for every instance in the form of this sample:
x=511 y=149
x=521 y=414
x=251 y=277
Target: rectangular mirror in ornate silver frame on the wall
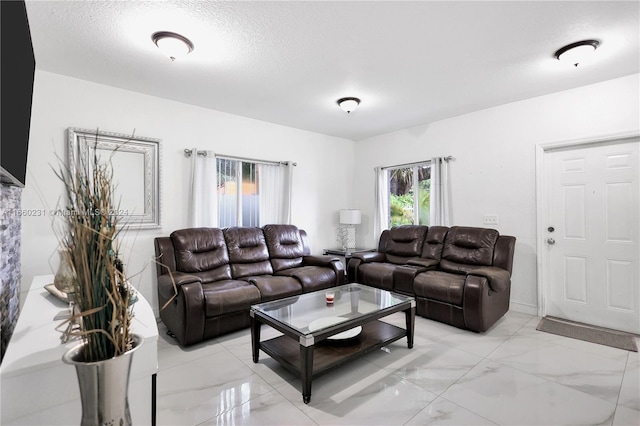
x=135 y=161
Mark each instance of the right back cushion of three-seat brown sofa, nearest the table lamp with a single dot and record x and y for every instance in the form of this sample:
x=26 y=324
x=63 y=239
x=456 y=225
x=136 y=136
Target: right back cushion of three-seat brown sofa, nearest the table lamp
x=285 y=246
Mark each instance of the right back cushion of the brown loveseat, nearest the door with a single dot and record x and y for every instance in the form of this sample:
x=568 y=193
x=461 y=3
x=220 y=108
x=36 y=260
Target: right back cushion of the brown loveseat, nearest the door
x=466 y=248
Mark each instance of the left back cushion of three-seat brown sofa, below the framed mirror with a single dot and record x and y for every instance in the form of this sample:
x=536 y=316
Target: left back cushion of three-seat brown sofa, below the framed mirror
x=200 y=250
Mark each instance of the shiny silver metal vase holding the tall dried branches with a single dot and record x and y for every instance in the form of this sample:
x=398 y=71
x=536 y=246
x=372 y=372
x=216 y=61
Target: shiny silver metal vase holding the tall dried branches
x=104 y=386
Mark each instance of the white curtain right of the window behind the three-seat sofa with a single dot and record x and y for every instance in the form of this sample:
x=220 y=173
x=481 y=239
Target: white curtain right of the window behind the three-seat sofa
x=274 y=189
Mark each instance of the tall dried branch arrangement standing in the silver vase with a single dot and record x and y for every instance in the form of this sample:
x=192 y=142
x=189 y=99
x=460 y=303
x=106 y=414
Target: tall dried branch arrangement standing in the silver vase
x=101 y=292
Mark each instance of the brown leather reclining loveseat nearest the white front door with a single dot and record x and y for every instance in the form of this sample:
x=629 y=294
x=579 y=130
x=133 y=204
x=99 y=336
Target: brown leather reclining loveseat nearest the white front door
x=459 y=275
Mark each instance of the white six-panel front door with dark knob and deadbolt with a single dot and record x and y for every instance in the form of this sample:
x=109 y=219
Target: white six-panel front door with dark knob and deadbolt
x=591 y=233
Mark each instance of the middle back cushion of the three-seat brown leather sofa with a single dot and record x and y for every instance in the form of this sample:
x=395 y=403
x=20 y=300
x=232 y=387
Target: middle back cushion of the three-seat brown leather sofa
x=248 y=253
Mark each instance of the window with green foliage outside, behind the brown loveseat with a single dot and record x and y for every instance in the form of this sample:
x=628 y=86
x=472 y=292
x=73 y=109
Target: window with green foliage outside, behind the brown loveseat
x=409 y=194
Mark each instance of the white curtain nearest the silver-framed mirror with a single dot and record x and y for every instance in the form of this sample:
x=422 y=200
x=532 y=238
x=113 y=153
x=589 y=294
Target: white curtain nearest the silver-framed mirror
x=203 y=197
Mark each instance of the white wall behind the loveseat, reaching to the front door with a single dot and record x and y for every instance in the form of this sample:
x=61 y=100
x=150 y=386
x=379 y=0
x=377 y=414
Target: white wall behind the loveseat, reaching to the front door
x=494 y=167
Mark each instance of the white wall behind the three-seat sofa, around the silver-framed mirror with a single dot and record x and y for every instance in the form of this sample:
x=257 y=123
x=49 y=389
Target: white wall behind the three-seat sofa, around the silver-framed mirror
x=324 y=165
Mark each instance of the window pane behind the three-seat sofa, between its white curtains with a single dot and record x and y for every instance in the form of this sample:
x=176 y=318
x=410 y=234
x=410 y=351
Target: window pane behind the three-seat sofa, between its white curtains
x=238 y=196
